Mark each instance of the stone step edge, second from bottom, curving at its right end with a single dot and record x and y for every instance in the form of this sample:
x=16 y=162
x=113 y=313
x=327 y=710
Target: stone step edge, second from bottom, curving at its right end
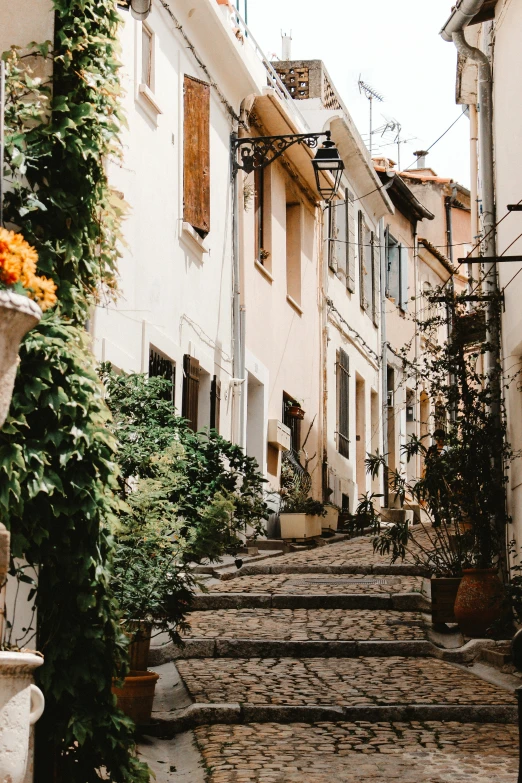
x=281 y=648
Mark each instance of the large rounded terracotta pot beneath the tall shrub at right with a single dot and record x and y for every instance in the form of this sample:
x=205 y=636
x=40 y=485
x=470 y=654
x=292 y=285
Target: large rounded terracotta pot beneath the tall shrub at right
x=479 y=601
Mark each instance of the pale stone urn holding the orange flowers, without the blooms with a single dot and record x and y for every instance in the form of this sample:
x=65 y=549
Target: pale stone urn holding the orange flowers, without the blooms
x=18 y=314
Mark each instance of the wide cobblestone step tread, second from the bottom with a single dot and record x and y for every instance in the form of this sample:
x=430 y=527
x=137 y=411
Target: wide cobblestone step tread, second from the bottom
x=336 y=681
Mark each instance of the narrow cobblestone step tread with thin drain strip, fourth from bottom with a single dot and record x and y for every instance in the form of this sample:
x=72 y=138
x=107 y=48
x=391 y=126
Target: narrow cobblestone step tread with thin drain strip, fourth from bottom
x=327 y=584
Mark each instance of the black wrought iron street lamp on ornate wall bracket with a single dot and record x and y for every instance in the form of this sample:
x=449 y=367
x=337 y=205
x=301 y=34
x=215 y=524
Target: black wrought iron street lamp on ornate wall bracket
x=257 y=152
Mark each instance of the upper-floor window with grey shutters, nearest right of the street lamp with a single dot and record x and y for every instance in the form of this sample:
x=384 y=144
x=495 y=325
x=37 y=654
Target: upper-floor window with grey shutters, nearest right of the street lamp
x=341 y=247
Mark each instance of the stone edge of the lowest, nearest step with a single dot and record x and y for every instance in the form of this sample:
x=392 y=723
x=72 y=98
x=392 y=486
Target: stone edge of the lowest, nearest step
x=167 y=724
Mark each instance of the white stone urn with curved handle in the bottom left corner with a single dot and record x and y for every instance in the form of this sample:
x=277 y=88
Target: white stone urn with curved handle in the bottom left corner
x=21 y=704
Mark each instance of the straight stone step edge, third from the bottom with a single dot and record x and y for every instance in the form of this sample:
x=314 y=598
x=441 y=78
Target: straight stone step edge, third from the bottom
x=401 y=602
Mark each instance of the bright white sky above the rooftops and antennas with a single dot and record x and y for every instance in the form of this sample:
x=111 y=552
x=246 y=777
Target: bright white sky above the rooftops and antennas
x=395 y=46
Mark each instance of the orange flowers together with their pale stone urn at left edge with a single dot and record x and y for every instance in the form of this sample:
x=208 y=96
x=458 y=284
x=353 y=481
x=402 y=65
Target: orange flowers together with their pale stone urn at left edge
x=23 y=297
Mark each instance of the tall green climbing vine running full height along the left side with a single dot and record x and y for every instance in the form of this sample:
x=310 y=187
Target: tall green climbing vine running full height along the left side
x=56 y=456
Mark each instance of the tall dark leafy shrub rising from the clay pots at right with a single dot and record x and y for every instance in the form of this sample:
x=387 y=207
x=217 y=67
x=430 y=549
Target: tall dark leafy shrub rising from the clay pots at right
x=462 y=489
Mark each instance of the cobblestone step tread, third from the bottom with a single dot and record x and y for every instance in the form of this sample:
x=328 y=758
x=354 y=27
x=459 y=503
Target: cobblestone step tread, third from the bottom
x=306 y=624
